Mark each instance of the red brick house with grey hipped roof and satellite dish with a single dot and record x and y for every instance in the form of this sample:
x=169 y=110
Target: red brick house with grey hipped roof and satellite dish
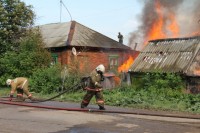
x=82 y=49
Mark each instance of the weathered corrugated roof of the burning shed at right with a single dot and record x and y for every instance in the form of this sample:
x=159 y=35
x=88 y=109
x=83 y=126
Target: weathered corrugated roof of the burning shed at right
x=170 y=55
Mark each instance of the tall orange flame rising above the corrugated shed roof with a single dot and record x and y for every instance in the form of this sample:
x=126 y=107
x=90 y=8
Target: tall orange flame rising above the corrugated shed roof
x=160 y=28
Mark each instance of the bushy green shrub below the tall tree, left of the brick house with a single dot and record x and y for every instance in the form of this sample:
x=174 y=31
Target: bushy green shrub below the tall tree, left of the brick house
x=29 y=57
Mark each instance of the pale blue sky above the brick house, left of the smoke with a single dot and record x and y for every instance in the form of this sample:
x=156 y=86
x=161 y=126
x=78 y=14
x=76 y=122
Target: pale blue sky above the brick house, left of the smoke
x=107 y=17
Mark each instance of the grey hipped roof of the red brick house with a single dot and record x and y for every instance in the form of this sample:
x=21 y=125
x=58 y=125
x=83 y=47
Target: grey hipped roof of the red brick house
x=75 y=34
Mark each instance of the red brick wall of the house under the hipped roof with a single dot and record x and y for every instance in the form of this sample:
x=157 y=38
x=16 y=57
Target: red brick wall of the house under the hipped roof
x=86 y=61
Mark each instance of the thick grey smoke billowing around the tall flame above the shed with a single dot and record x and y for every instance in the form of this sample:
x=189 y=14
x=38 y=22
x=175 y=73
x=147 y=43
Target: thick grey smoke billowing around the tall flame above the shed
x=186 y=13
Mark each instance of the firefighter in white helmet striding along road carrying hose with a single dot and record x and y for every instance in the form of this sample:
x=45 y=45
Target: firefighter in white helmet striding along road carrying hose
x=94 y=87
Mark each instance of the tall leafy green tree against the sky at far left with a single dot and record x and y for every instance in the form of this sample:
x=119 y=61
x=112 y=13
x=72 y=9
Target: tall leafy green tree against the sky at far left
x=15 y=18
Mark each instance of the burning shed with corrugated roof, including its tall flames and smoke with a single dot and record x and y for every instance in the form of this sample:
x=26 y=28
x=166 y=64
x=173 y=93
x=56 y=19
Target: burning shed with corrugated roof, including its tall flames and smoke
x=169 y=25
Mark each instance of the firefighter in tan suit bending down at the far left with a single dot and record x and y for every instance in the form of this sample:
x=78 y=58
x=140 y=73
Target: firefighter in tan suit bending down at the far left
x=20 y=85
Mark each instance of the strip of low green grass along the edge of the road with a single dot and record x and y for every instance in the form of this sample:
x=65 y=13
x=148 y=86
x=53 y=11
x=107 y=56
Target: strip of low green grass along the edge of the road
x=165 y=99
